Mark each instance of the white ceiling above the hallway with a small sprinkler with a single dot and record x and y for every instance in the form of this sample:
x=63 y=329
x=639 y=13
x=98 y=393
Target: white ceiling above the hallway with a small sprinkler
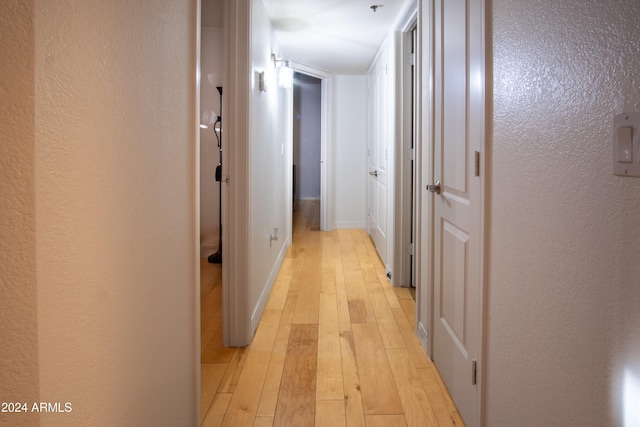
x=337 y=36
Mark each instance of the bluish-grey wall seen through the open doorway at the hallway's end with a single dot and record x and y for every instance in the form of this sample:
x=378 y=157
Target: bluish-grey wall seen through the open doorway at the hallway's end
x=306 y=136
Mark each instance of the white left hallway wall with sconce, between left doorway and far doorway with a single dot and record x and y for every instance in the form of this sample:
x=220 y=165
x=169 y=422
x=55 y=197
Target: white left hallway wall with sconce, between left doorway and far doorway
x=270 y=133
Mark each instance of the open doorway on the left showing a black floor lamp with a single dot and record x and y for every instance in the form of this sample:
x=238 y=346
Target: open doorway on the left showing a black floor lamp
x=212 y=41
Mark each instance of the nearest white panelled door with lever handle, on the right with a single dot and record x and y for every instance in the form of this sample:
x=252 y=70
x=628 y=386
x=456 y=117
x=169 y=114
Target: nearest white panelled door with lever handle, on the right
x=458 y=240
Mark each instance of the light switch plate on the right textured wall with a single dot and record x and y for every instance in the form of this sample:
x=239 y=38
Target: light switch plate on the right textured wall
x=626 y=144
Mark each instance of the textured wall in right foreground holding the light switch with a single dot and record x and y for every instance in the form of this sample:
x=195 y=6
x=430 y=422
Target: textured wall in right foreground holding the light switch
x=564 y=287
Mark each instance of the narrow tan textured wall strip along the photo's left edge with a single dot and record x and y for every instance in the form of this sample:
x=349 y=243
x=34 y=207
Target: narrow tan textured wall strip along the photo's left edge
x=18 y=305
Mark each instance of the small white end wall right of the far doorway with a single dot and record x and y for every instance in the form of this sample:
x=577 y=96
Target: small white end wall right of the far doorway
x=350 y=118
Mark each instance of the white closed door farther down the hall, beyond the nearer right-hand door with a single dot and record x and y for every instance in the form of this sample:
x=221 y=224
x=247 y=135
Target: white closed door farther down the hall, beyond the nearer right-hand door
x=377 y=188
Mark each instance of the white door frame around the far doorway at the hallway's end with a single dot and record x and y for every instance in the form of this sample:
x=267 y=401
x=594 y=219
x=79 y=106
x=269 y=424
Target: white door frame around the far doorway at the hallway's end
x=327 y=221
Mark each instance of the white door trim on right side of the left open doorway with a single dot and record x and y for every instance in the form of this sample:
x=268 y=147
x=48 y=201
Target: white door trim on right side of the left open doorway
x=236 y=316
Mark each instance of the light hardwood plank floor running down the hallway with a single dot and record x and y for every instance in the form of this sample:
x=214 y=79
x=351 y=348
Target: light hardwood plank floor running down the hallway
x=335 y=347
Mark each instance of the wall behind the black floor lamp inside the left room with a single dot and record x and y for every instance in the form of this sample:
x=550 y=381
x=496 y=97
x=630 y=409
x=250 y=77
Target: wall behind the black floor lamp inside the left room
x=211 y=61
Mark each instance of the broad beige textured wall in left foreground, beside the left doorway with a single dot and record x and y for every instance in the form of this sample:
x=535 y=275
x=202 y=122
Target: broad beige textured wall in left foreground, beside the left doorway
x=116 y=231
